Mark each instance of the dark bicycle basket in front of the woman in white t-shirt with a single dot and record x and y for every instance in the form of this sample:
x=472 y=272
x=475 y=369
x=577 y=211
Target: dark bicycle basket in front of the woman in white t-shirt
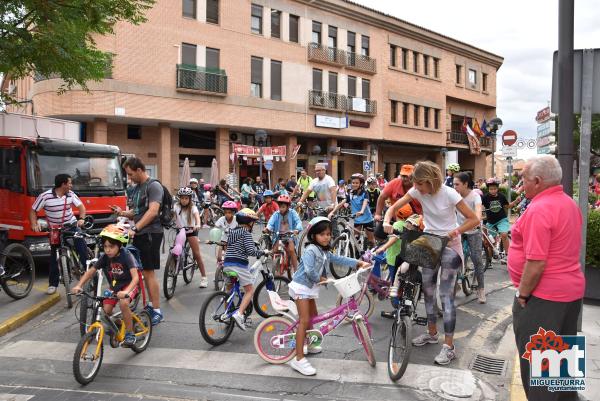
x=422 y=249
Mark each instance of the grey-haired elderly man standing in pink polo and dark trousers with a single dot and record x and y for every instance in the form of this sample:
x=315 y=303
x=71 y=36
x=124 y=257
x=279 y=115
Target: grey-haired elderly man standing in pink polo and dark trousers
x=543 y=263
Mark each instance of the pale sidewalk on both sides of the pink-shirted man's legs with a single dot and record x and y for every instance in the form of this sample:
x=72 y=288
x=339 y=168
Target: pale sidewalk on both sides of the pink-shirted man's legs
x=591 y=330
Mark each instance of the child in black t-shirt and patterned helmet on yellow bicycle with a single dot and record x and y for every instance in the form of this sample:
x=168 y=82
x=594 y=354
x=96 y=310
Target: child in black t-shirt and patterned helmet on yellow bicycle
x=121 y=269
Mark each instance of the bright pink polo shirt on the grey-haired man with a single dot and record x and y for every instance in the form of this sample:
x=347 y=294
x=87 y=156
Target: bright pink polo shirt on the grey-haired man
x=550 y=230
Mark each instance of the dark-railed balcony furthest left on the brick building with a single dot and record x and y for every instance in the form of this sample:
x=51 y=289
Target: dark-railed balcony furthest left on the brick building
x=199 y=79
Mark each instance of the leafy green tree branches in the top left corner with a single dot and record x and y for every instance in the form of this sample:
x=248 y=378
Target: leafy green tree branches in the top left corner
x=56 y=38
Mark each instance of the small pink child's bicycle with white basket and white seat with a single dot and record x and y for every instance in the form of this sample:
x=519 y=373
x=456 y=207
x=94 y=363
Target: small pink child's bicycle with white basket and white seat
x=275 y=337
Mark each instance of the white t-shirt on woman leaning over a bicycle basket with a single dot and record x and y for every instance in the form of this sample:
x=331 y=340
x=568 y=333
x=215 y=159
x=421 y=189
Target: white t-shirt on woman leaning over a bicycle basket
x=439 y=210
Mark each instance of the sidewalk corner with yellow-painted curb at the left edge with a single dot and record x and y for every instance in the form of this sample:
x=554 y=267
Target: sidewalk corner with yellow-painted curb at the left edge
x=15 y=313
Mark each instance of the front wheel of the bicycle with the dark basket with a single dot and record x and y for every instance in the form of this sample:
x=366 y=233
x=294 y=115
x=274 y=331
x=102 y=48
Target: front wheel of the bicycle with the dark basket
x=400 y=346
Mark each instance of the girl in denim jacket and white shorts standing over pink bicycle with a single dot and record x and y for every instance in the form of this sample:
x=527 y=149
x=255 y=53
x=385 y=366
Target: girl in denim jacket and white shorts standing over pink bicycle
x=304 y=289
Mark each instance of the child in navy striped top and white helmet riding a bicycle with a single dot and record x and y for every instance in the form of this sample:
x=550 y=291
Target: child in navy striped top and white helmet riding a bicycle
x=240 y=245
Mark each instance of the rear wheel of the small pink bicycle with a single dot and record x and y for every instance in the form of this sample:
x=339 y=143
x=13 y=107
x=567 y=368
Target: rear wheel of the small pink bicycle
x=265 y=344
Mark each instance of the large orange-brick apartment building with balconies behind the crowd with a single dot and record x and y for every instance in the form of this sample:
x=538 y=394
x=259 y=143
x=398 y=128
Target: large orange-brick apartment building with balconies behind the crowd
x=201 y=75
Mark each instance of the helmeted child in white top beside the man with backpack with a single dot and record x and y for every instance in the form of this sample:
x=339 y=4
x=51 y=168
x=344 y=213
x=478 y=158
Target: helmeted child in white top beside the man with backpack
x=188 y=216
